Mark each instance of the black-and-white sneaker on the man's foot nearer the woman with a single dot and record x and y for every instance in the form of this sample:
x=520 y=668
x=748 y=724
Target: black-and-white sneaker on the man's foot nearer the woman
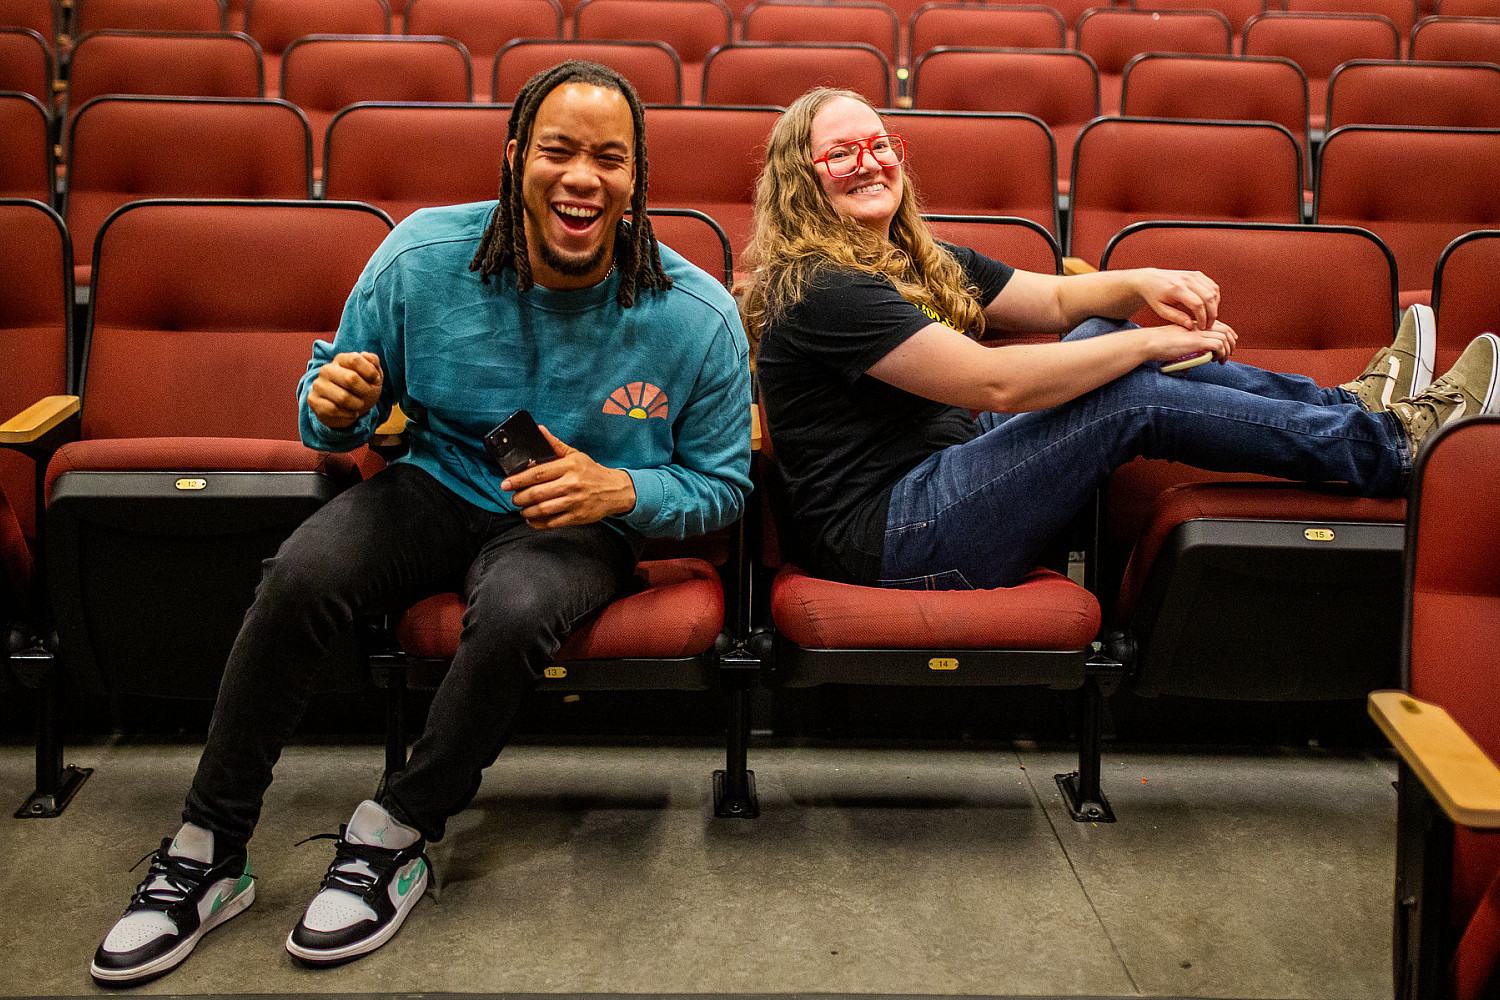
x=367 y=893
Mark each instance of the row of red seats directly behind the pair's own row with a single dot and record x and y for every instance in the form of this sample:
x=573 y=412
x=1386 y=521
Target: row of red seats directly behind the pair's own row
x=1417 y=188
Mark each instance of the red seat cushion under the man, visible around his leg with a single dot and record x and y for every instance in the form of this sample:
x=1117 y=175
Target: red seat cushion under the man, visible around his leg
x=680 y=612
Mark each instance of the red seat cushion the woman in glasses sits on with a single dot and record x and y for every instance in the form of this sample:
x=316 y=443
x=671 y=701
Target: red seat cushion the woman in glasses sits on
x=1046 y=611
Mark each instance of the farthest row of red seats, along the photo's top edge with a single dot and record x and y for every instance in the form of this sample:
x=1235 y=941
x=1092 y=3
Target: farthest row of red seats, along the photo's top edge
x=1109 y=37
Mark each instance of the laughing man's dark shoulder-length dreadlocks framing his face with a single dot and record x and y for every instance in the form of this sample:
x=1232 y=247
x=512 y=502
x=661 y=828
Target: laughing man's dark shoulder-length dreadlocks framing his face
x=505 y=244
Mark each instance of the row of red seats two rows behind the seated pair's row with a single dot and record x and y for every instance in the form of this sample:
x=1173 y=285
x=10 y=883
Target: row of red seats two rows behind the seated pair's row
x=329 y=73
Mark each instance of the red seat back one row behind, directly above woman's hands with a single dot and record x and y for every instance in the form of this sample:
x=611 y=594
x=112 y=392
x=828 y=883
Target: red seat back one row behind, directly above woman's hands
x=1234 y=172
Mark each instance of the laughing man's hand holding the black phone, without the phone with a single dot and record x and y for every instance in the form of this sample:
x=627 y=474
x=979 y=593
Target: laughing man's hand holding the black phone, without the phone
x=571 y=490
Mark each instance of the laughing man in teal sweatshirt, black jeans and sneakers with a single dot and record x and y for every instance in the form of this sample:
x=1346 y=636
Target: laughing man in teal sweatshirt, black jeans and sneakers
x=635 y=365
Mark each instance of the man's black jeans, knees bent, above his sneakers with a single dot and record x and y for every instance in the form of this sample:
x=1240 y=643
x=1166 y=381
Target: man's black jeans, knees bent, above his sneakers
x=385 y=545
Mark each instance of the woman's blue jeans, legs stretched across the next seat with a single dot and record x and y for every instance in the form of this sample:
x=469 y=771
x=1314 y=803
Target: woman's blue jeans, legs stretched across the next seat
x=977 y=515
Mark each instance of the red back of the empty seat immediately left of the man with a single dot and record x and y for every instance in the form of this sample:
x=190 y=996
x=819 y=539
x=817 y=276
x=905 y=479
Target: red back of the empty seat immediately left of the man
x=248 y=286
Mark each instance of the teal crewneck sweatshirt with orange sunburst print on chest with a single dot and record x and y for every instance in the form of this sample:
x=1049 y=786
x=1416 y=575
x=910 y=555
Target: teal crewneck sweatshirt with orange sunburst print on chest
x=661 y=391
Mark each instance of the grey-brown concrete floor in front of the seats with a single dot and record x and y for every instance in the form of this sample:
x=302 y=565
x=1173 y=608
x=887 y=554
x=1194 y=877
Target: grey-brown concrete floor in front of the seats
x=872 y=872
